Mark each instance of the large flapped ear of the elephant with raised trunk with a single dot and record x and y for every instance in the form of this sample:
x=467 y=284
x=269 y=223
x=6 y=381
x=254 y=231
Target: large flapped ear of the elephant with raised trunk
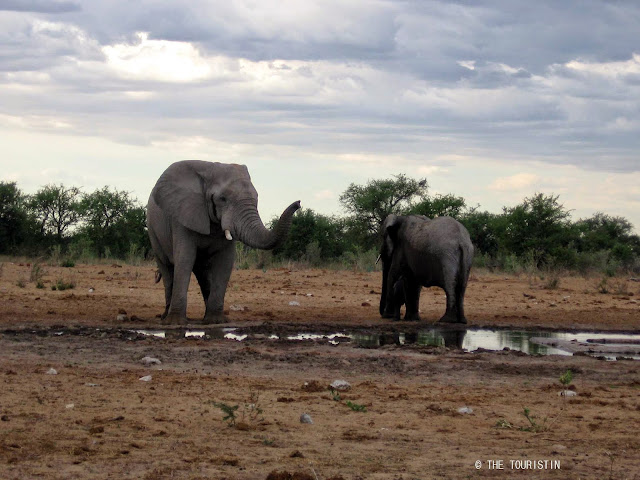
x=180 y=192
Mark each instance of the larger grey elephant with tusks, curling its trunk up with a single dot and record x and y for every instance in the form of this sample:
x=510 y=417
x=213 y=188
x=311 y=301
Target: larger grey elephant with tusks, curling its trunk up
x=196 y=211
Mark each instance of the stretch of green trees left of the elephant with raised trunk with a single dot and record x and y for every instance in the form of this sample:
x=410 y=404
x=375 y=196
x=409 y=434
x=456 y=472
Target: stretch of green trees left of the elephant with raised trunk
x=64 y=220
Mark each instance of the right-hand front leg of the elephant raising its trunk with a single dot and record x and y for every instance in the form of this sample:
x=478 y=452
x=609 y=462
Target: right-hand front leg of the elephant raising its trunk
x=218 y=276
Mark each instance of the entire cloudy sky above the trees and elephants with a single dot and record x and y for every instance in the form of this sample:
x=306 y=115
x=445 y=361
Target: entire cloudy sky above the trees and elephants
x=489 y=100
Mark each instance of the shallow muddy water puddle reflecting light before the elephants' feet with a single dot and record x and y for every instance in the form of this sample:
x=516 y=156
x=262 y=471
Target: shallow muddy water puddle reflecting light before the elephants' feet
x=533 y=342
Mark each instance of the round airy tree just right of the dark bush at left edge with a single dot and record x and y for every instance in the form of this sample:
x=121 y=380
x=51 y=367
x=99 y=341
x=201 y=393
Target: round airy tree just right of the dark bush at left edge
x=56 y=209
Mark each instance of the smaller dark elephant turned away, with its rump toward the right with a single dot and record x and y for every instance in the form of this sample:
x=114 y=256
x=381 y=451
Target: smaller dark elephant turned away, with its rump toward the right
x=424 y=252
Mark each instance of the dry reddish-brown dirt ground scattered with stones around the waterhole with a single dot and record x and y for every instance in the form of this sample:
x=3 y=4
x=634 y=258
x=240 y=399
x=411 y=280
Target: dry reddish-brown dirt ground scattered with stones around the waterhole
x=95 y=418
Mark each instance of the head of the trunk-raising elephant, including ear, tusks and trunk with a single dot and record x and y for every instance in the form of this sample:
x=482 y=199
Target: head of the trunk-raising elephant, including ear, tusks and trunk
x=218 y=199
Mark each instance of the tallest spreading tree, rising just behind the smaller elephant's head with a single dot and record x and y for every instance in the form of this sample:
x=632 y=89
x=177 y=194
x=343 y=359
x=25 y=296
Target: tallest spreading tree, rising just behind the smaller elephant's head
x=368 y=205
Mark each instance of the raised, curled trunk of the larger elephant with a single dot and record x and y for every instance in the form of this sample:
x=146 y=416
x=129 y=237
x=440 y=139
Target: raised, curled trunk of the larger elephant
x=250 y=230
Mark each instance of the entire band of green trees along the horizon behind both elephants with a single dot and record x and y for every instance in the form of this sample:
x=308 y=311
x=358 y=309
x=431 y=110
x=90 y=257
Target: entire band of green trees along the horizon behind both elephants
x=536 y=233
